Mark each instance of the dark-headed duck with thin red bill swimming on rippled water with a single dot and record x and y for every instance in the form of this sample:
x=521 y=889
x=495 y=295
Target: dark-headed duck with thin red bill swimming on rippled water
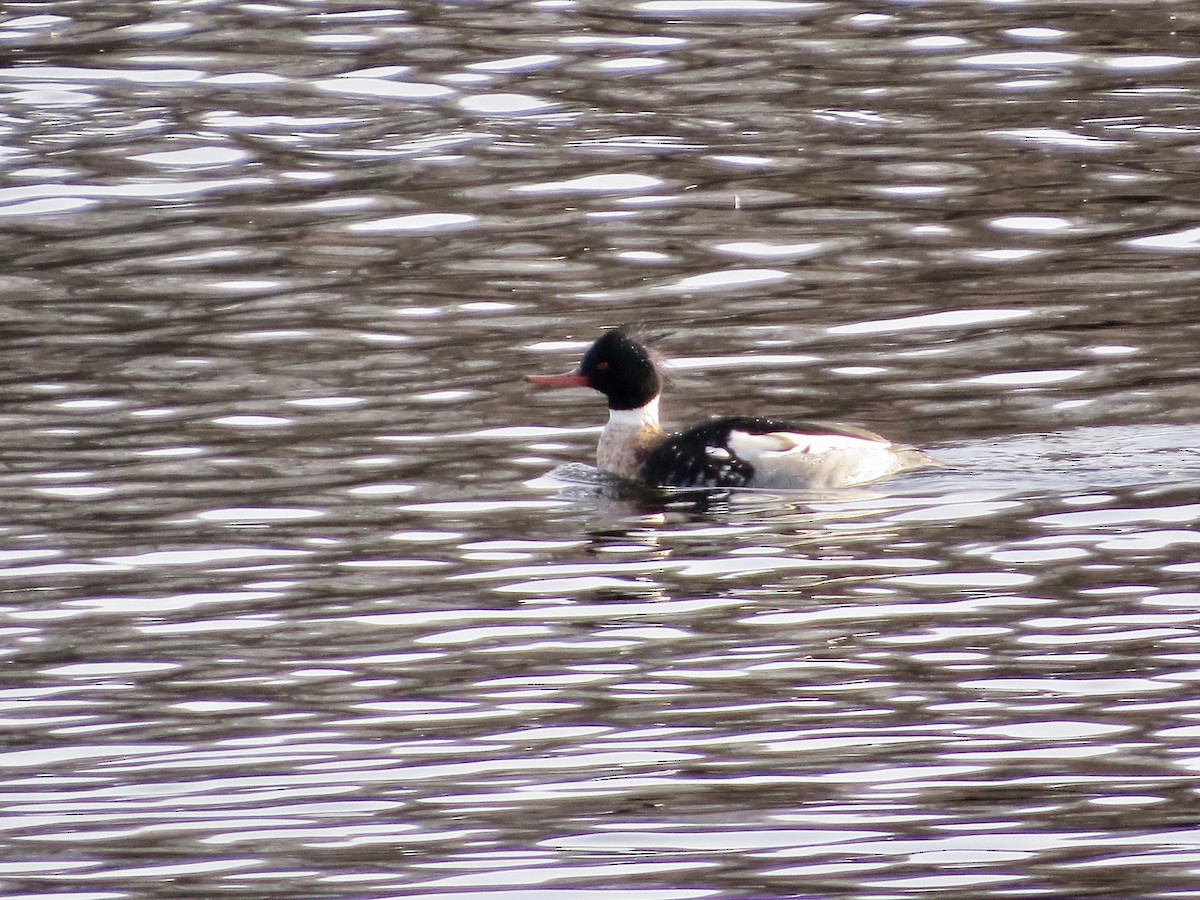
x=730 y=453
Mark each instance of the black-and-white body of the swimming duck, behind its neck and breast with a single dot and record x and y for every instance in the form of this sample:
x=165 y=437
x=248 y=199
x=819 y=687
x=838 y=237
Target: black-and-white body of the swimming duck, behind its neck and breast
x=771 y=453
